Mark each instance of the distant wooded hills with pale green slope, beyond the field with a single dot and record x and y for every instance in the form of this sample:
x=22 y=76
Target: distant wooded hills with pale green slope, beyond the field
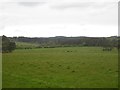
x=62 y=41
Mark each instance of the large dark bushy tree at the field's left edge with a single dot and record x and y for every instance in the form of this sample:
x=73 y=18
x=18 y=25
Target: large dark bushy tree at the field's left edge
x=7 y=45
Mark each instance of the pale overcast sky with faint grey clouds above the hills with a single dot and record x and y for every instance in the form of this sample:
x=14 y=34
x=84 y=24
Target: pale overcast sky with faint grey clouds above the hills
x=49 y=18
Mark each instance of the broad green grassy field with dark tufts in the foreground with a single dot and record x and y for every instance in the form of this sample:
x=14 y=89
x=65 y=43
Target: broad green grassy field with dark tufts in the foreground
x=69 y=67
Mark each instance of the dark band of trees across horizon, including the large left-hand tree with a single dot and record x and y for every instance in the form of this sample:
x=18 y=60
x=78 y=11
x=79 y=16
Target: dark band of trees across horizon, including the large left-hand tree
x=8 y=43
